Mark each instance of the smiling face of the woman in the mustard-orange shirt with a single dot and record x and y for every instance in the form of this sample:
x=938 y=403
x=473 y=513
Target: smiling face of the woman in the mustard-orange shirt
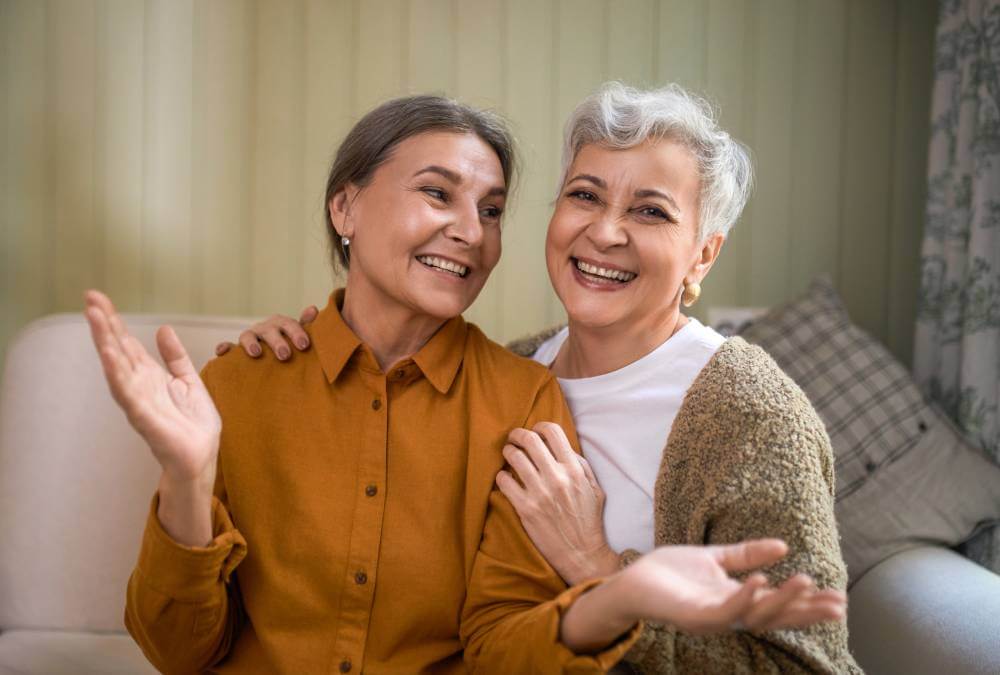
x=425 y=232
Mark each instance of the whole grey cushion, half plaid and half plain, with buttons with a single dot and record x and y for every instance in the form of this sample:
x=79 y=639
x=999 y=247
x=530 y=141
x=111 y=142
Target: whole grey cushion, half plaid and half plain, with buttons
x=905 y=476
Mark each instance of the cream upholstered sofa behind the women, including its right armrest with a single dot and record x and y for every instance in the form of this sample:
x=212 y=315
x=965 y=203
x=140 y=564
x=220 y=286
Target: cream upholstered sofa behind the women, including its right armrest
x=75 y=485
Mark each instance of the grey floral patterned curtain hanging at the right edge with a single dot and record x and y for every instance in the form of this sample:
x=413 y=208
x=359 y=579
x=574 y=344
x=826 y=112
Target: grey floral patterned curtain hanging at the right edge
x=957 y=346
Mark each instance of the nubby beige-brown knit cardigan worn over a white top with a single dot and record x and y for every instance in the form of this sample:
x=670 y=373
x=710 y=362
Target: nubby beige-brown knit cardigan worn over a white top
x=747 y=457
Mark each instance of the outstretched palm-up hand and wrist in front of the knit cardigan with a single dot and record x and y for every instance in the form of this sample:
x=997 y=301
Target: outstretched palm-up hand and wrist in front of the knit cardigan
x=690 y=588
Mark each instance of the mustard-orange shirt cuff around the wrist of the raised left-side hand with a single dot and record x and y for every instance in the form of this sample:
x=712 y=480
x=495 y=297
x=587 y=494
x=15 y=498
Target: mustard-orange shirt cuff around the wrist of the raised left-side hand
x=189 y=573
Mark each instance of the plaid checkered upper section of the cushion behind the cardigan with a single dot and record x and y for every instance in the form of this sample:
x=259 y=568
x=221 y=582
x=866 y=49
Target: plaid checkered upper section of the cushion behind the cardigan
x=872 y=409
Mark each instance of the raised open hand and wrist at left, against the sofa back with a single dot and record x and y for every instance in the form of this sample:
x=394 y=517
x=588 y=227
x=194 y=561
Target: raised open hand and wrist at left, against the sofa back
x=170 y=408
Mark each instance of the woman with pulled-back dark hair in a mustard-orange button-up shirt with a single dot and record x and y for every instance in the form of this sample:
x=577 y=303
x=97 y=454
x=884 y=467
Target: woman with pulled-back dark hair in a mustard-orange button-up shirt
x=340 y=512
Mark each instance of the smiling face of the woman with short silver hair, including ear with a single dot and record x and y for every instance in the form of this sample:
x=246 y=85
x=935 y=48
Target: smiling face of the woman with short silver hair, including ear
x=624 y=236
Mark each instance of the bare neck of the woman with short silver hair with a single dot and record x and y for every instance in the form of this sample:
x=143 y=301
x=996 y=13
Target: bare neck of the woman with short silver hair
x=590 y=351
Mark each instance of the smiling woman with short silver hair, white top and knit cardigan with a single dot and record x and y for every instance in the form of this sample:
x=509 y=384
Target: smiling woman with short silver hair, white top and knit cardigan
x=688 y=437
